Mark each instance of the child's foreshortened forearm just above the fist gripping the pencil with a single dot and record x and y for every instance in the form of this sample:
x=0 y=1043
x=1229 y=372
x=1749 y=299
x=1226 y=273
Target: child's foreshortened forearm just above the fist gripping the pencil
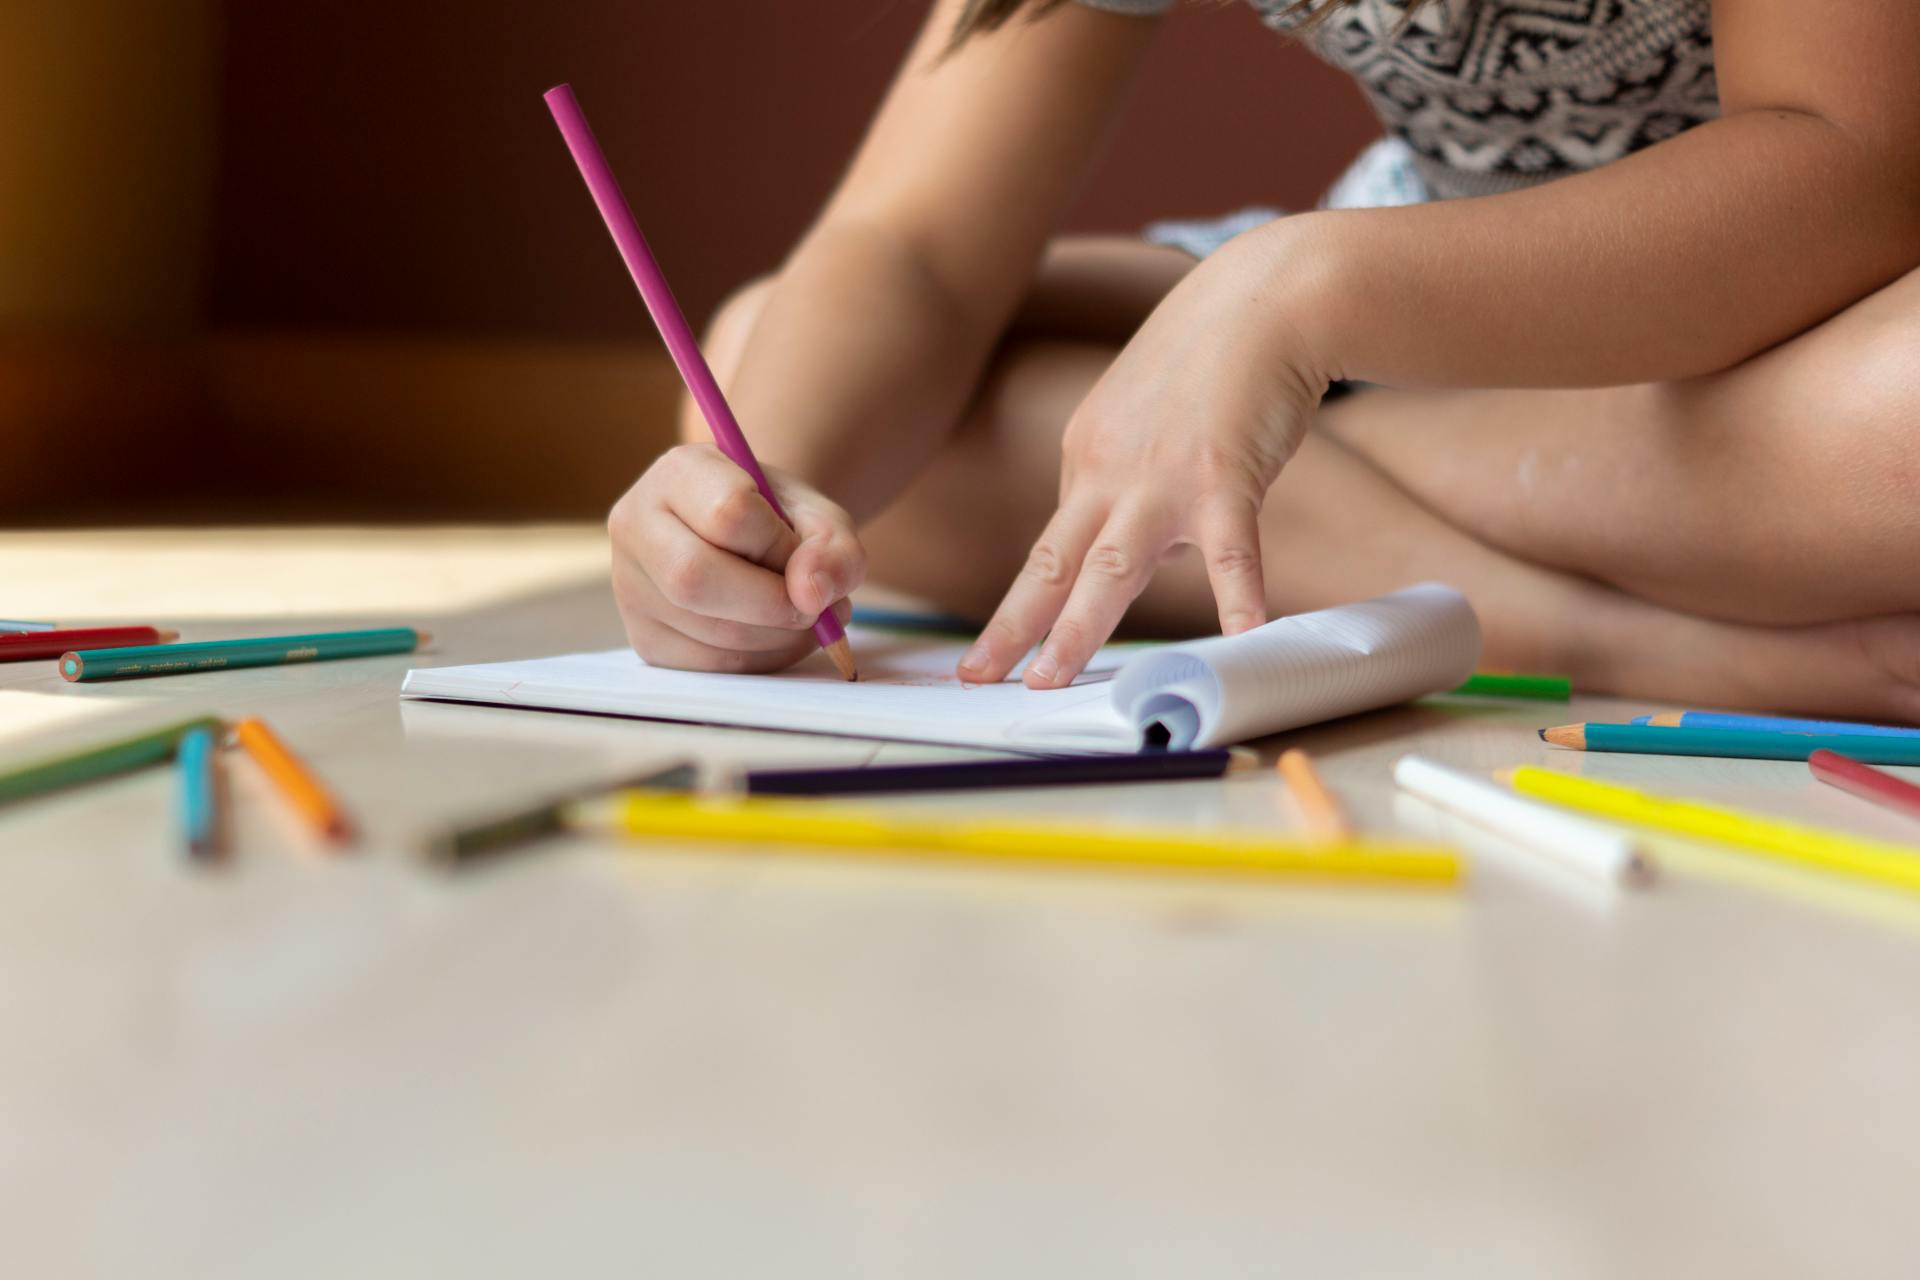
x=859 y=366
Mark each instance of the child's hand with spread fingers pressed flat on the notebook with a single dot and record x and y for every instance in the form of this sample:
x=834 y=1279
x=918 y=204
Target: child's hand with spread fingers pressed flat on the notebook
x=1178 y=444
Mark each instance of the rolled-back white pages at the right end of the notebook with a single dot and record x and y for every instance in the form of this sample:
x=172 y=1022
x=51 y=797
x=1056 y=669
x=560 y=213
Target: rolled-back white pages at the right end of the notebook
x=1301 y=671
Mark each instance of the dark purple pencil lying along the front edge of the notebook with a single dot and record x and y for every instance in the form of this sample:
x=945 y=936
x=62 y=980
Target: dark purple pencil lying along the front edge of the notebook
x=984 y=774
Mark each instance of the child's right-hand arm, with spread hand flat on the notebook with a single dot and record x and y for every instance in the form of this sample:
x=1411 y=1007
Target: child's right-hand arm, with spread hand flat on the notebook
x=1685 y=258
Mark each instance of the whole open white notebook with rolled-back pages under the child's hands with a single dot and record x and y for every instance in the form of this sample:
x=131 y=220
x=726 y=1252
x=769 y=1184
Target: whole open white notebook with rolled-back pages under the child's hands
x=1203 y=694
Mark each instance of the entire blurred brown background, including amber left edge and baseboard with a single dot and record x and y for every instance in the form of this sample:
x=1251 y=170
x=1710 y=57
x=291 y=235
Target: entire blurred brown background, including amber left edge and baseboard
x=329 y=260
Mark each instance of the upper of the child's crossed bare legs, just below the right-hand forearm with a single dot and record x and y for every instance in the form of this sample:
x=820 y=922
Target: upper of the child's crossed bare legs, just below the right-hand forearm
x=1785 y=490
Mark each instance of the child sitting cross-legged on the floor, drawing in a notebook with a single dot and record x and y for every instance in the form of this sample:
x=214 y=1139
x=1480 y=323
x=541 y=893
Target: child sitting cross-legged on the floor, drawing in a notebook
x=1641 y=277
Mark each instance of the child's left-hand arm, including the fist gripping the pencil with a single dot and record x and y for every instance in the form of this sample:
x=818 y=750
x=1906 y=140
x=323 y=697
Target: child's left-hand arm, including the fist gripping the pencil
x=873 y=337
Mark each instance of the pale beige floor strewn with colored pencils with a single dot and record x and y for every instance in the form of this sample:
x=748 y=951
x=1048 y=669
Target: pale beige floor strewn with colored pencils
x=679 y=1062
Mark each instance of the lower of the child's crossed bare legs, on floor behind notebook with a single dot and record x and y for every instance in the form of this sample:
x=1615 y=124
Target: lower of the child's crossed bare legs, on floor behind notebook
x=1337 y=531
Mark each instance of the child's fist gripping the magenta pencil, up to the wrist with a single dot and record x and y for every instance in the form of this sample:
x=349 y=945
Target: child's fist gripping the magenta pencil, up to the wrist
x=711 y=581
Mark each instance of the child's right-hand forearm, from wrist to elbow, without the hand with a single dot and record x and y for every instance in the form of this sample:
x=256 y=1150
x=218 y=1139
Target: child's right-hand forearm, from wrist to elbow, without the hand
x=1681 y=260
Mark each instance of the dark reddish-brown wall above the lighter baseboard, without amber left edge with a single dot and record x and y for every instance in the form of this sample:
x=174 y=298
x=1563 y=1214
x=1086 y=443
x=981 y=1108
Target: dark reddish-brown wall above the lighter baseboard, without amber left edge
x=389 y=164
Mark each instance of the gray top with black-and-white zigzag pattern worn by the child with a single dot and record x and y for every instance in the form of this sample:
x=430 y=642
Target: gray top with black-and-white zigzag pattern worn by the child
x=1497 y=95
